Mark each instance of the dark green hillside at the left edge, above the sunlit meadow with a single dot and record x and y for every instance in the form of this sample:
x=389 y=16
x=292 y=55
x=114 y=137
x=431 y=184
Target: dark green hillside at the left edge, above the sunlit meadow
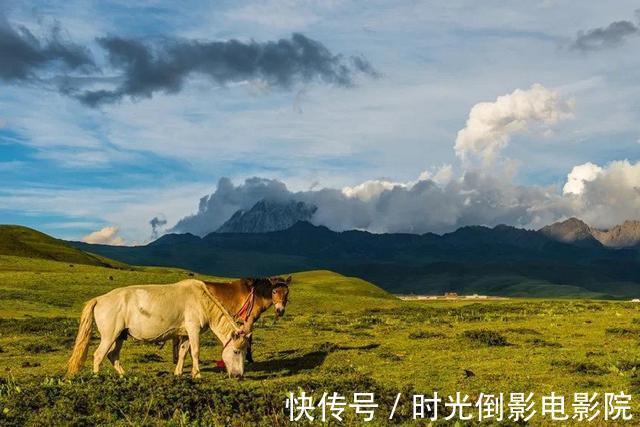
x=16 y=240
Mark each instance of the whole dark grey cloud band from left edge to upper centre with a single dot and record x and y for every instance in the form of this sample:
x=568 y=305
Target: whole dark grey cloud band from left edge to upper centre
x=139 y=69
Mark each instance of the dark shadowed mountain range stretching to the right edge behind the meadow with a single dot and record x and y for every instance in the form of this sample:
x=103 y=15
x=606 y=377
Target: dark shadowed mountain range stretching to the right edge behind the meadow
x=564 y=259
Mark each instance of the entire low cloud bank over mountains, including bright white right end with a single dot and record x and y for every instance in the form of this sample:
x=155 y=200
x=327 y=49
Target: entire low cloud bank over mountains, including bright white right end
x=601 y=195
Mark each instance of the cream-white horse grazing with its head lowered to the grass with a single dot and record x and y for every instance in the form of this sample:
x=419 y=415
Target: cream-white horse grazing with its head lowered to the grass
x=155 y=313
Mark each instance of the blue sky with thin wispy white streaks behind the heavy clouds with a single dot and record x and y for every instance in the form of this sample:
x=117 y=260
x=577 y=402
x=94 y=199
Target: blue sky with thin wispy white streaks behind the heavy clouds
x=70 y=169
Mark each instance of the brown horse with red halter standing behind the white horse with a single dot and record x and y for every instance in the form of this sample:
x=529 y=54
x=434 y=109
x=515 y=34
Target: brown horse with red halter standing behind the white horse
x=246 y=299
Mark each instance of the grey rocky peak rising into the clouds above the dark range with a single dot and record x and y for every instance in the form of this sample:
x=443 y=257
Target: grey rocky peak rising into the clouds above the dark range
x=268 y=215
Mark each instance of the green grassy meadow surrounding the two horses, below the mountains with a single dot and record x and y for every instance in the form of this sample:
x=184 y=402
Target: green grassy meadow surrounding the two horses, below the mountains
x=339 y=334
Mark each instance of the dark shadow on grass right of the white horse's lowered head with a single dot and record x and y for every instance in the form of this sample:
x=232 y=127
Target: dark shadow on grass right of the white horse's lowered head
x=289 y=366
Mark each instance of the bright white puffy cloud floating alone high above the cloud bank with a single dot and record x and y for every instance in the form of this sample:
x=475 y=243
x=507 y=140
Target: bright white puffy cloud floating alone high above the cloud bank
x=491 y=124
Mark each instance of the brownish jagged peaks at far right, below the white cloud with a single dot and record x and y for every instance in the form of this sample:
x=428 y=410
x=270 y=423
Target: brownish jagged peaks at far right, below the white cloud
x=577 y=232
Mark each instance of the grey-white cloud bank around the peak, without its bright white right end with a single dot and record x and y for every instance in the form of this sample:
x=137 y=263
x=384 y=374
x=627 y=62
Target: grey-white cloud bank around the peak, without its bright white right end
x=383 y=206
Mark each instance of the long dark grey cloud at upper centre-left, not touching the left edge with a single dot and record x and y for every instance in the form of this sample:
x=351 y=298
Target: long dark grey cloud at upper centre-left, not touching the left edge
x=164 y=66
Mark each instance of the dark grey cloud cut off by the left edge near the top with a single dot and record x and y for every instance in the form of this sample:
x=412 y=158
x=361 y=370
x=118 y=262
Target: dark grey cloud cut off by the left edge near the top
x=22 y=55
